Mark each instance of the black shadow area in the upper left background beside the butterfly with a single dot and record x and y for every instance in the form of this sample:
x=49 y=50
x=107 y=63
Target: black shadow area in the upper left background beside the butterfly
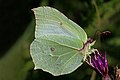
x=14 y=18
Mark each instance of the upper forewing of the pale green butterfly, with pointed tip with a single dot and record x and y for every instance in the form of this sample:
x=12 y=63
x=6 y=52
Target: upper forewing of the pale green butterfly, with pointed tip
x=50 y=21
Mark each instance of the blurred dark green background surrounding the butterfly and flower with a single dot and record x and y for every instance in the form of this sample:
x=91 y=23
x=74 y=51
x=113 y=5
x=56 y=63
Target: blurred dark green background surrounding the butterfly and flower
x=17 y=25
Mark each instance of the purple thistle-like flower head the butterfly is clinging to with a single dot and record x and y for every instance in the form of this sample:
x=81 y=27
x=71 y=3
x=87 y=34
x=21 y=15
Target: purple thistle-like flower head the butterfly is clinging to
x=99 y=63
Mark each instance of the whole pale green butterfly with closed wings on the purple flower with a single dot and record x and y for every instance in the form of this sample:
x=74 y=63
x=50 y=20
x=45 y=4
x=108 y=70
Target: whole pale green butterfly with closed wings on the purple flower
x=60 y=45
